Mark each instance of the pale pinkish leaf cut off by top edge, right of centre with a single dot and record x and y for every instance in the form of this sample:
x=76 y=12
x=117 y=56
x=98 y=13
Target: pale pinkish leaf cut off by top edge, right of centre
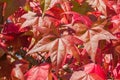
x=99 y=5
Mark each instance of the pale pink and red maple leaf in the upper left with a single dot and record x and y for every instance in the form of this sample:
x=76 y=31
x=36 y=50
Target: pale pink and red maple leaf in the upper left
x=38 y=23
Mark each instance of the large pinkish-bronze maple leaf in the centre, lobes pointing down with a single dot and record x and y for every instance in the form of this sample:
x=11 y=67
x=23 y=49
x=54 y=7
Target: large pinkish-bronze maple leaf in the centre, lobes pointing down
x=57 y=48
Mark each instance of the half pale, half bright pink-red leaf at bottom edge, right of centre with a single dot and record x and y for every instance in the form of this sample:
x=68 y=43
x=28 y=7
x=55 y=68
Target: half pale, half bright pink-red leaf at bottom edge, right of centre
x=91 y=72
